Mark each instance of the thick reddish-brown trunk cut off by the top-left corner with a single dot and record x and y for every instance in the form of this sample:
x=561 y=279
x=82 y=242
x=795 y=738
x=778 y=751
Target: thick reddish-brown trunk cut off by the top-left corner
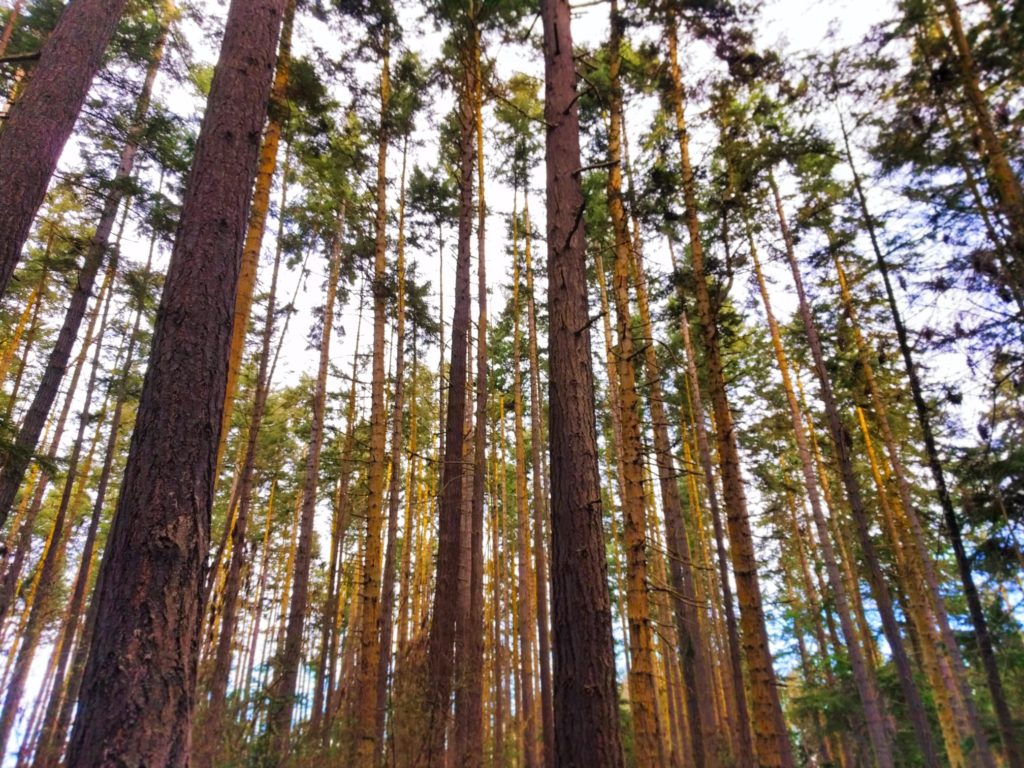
x=40 y=122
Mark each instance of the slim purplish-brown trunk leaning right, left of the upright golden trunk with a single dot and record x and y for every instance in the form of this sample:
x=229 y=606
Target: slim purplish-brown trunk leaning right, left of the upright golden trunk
x=284 y=695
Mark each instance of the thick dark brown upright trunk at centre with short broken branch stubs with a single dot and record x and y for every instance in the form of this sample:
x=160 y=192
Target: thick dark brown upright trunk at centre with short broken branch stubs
x=585 y=697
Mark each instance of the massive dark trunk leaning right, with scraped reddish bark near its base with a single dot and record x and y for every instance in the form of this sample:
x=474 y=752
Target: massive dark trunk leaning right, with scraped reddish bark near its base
x=137 y=700
